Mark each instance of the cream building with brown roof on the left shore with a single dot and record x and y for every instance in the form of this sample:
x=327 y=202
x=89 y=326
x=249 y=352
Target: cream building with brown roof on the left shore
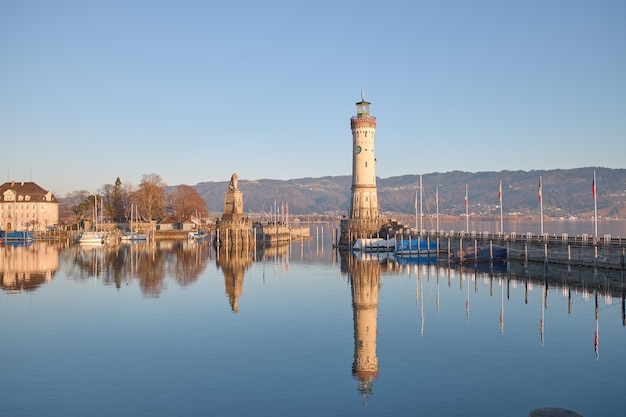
x=27 y=206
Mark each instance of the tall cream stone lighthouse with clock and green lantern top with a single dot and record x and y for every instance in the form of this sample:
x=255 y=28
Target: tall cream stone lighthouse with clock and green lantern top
x=363 y=212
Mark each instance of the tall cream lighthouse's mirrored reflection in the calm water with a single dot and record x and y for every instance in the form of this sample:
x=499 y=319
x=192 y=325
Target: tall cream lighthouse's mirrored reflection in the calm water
x=365 y=283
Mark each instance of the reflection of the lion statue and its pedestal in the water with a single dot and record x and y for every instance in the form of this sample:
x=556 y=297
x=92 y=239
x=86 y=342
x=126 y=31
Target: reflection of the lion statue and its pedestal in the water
x=234 y=263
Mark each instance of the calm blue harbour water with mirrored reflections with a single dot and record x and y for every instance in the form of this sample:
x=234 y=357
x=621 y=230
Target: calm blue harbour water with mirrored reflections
x=177 y=329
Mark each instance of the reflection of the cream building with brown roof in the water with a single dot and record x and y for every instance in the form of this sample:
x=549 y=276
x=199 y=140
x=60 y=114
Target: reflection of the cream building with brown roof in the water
x=24 y=267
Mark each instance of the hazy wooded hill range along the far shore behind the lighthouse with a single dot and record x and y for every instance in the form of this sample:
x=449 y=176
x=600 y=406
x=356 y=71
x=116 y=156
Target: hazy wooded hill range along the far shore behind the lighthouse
x=566 y=193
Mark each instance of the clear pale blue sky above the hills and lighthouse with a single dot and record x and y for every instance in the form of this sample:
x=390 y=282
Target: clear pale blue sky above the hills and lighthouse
x=196 y=90
